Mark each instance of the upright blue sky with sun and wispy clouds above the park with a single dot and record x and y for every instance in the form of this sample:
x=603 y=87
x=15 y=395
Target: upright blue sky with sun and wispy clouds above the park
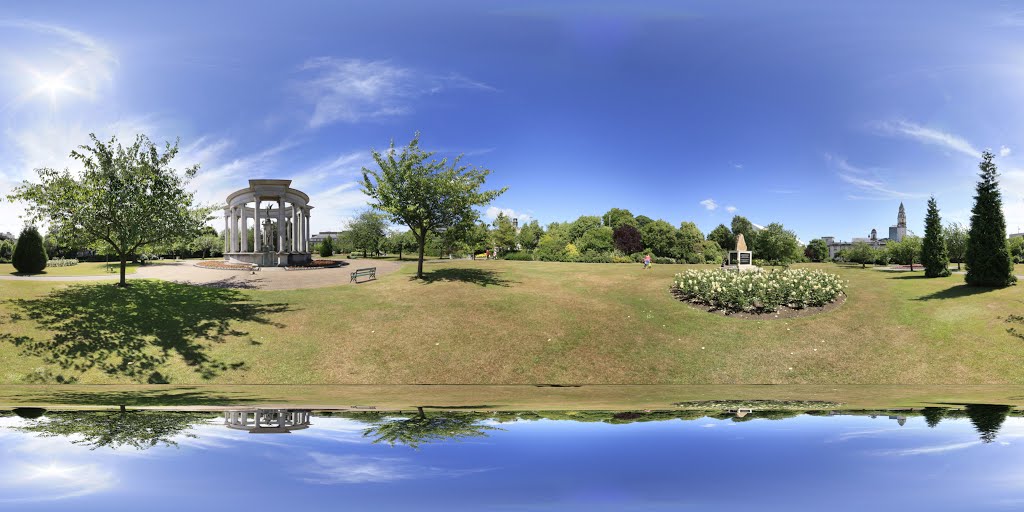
x=823 y=116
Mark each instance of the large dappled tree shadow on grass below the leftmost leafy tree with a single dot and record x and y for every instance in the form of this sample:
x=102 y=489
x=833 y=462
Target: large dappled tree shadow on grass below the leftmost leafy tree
x=134 y=332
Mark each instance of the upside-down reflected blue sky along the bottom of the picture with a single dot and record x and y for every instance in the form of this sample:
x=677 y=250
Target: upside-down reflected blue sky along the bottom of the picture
x=834 y=463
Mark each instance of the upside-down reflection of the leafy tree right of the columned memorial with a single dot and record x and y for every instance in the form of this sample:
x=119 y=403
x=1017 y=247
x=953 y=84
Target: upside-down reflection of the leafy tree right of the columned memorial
x=422 y=430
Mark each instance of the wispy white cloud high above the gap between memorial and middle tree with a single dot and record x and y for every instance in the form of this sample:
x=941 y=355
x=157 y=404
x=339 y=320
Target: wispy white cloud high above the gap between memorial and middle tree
x=351 y=91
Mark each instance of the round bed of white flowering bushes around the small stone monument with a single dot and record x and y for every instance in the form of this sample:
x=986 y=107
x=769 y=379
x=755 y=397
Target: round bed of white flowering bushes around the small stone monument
x=759 y=290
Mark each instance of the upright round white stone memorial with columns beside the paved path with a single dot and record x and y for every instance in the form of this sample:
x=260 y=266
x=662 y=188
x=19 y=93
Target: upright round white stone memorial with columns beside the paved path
x=279 y=217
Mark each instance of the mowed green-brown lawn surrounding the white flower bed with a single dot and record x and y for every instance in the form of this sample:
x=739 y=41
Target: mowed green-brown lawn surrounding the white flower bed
x=505 y=323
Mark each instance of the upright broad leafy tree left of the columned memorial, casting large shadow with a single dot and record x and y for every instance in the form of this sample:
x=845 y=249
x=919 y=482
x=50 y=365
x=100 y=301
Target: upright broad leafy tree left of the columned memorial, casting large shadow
x=125 y=198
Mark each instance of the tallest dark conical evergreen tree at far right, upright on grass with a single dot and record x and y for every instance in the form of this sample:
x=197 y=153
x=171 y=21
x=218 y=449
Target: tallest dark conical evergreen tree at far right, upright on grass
x=989 y=263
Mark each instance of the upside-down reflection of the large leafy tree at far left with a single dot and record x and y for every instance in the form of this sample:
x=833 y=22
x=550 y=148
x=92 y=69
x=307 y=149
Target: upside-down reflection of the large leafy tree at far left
x=139 y=430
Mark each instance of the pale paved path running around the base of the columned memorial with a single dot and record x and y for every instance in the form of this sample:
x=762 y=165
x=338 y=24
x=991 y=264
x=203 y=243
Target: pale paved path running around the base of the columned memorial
x=268 y=279
